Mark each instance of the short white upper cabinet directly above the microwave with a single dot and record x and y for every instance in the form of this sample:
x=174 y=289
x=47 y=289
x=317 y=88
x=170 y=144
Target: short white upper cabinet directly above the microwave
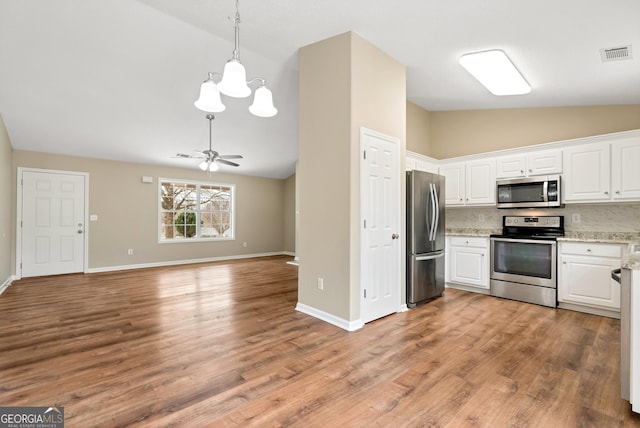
x=541 y=162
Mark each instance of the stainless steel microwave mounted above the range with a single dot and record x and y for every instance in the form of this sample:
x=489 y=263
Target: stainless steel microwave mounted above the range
x=531 y=192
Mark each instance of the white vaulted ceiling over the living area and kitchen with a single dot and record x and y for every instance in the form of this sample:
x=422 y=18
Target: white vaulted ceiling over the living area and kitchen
x=117 y=79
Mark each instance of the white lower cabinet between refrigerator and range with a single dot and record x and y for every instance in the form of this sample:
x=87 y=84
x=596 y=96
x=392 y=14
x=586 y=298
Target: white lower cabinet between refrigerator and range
x=468 y=262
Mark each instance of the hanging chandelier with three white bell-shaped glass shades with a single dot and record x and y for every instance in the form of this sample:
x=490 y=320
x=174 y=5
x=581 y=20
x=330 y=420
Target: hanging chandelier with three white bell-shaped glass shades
x=234 y=84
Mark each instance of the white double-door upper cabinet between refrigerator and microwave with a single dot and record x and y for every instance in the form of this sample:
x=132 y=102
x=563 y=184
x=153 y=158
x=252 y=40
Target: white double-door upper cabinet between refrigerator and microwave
x=470 y=183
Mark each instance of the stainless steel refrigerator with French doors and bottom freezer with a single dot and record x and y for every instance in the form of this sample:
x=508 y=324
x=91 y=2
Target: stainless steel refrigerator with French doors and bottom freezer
x=425 y=236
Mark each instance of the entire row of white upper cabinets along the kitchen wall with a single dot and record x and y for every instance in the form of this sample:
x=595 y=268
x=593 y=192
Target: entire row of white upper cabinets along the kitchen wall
x=602 y=168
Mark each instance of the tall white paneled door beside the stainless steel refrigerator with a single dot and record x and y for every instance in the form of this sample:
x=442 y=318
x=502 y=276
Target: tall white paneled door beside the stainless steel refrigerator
x=380 y=208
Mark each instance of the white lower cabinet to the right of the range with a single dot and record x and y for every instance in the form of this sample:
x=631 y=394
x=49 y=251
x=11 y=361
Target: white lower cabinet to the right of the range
x=584 y=276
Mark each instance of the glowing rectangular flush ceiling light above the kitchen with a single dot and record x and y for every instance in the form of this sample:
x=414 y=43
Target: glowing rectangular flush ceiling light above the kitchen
x=496 y=72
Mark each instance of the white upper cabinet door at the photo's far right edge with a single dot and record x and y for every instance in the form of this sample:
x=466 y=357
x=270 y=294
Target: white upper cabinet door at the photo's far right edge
x=625 y=169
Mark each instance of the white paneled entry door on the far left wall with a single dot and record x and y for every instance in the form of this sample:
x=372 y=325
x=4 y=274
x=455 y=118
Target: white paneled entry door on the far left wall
x=53 y=223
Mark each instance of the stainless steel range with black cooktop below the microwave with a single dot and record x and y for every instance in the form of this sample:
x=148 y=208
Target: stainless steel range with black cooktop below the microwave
x=524 y=259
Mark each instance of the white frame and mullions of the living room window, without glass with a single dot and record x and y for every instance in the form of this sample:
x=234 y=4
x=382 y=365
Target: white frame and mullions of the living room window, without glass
x=198 y=184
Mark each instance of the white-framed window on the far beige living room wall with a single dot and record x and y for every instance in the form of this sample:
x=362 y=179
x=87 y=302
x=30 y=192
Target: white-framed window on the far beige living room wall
x=191 y=211
